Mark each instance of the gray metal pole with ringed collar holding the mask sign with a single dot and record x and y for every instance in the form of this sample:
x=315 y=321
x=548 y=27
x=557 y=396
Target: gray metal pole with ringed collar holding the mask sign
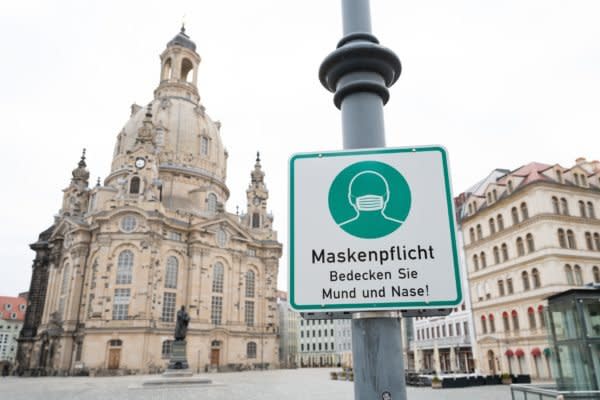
x=359 y=72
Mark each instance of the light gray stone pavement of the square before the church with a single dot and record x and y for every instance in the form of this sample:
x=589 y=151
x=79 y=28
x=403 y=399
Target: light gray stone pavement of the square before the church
x=301 y=384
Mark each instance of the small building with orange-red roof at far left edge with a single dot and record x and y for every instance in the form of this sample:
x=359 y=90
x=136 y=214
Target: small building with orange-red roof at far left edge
x=12 y=314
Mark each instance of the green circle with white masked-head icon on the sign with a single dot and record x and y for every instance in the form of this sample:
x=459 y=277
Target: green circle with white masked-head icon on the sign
x=369 y=199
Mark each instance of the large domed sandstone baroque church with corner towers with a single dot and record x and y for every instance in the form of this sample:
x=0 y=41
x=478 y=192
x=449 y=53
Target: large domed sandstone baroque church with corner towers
x=123 y=255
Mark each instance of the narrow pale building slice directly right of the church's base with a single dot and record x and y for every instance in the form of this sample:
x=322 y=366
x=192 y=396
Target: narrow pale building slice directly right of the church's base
x=289 y=323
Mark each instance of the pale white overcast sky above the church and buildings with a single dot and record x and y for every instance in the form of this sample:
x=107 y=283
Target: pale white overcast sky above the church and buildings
x=499 y=83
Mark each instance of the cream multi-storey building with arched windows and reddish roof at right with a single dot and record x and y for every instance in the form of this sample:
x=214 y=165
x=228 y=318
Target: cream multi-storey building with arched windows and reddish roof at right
x=529 y=233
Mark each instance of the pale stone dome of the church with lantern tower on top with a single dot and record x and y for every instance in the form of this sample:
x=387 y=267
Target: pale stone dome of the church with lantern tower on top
x=184 y=139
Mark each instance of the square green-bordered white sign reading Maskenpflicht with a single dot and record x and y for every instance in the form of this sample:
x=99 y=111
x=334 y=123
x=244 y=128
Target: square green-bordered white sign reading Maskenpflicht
x=372 y=230
